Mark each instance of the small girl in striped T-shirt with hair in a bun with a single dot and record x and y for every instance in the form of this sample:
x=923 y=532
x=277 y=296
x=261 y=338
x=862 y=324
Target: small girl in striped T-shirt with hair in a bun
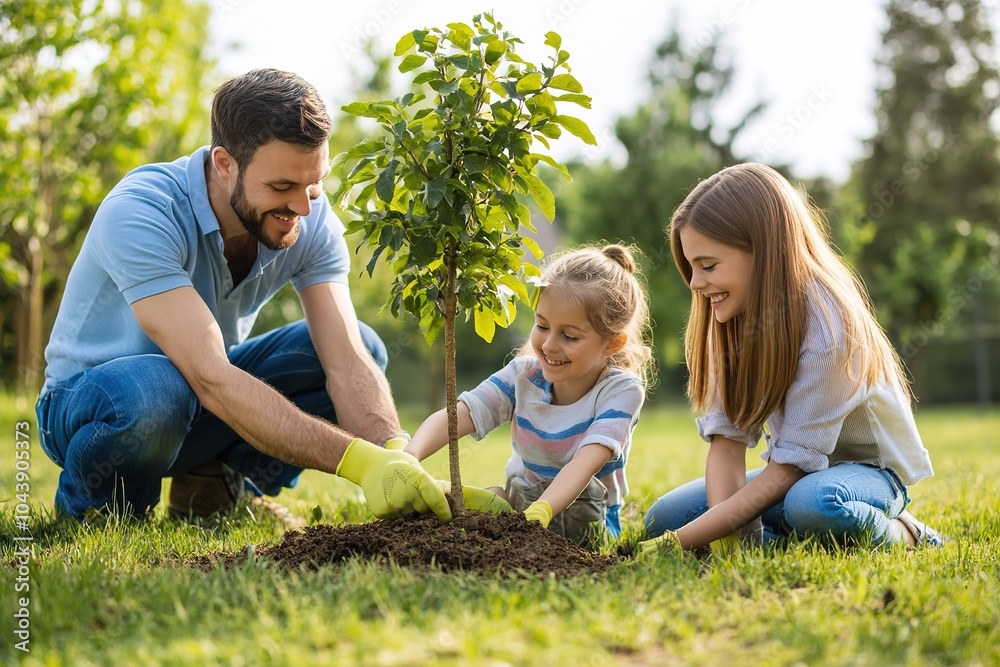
x=572 y=395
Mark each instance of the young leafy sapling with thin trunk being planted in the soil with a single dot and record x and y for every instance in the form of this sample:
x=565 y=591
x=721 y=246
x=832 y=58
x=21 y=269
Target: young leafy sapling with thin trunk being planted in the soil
x=437 y=189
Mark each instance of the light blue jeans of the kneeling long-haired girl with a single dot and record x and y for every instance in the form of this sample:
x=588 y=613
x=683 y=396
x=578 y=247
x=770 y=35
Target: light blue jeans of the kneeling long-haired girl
x=850 y=502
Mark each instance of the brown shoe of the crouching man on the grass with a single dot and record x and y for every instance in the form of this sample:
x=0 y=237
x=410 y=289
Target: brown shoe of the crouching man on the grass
x=216 y=489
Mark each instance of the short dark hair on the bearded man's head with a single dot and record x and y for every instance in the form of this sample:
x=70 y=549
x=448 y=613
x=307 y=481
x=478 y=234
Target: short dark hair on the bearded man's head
x=266 y=104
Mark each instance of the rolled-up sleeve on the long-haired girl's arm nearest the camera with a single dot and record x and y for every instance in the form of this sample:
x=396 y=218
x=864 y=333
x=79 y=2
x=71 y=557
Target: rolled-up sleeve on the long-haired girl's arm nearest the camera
x=818 y=402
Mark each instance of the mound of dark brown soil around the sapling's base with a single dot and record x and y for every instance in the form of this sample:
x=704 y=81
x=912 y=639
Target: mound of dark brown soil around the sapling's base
x=484 y=544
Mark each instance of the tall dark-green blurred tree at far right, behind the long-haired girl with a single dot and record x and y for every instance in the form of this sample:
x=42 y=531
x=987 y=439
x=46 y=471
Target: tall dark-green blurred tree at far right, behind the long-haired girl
x=921 y=212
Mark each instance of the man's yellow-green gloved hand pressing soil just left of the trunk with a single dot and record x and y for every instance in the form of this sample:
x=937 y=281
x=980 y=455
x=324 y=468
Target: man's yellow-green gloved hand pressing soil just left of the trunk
x=393 y=482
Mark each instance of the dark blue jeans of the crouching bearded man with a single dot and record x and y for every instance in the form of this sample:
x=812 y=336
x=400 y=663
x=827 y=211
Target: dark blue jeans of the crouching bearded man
x=119 y=428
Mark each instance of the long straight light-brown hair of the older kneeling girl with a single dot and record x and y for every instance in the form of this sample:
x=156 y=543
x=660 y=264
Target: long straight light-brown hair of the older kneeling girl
x=751 y=360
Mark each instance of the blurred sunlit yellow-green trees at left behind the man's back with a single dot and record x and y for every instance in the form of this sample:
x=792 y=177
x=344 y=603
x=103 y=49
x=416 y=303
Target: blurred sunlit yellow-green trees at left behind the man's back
x=88 y=90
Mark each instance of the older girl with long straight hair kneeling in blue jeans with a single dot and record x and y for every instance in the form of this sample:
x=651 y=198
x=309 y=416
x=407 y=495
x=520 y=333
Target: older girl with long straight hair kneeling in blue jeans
x=781 y=339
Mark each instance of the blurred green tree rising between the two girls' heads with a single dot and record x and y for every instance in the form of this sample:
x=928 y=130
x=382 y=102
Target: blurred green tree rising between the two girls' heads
x=672 y=141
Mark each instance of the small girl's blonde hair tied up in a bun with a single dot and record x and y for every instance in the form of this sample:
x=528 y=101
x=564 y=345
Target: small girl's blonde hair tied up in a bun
x=604 y=284
